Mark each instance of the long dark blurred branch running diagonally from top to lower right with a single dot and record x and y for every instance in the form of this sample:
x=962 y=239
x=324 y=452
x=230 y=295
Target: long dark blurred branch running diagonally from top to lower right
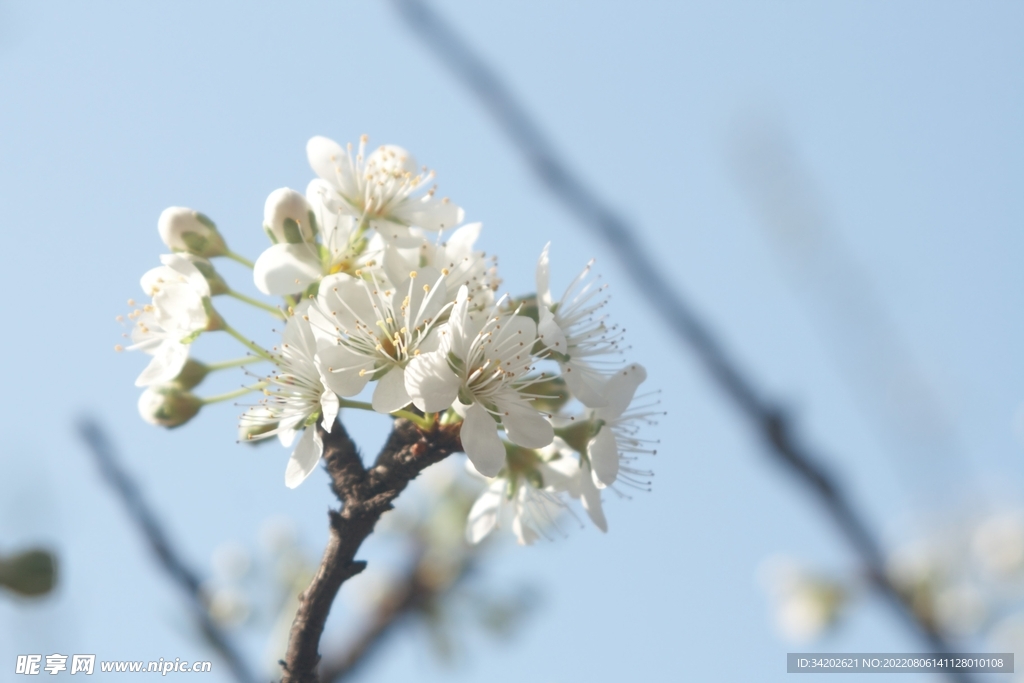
x=764 y=415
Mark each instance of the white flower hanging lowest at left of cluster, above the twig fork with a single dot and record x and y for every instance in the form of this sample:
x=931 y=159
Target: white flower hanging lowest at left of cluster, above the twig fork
x=297 y=400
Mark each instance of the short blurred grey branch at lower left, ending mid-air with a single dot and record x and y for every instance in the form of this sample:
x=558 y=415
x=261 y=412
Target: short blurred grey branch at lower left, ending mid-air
x=170 y=560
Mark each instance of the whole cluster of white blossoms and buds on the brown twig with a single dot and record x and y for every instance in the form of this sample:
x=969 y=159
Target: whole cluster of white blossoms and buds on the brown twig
x=380 y=283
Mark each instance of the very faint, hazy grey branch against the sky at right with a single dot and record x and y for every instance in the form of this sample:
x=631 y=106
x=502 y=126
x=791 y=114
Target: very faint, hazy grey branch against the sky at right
x=888 y=383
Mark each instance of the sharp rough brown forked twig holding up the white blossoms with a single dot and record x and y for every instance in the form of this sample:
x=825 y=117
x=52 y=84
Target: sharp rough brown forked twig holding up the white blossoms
x=365 y=496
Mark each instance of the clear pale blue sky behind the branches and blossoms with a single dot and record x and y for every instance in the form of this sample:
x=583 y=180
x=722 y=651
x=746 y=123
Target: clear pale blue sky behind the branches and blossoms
x=908 y=116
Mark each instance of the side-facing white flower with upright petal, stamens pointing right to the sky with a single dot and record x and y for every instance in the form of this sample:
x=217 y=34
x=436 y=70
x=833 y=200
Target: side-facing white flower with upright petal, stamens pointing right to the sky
x=576 y=338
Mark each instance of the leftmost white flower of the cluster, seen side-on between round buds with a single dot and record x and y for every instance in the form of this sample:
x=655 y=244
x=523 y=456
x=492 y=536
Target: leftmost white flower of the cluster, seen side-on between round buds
x=179 y=313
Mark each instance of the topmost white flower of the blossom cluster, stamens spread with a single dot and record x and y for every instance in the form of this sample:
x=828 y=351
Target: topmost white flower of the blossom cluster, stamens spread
x=386 y=189
